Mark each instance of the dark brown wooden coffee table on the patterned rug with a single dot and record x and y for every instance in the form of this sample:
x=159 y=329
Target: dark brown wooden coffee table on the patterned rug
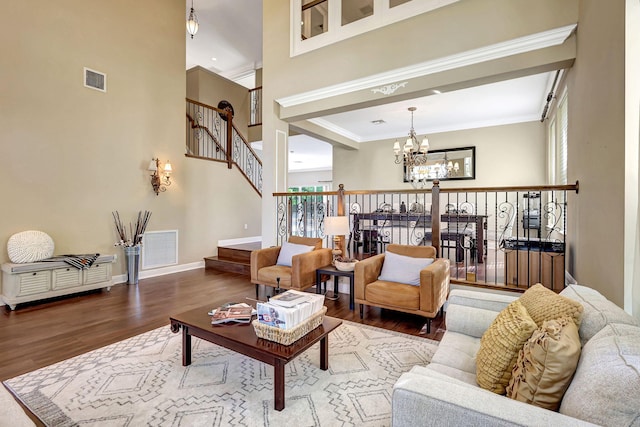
x=242 y=339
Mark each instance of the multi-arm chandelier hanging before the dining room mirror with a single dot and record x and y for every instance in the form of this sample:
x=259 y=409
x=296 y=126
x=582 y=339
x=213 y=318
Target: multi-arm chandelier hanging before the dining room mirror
x=414 y=156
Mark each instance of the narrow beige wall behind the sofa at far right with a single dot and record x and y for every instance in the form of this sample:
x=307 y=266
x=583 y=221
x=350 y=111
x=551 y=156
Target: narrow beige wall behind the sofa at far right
x=597 y=149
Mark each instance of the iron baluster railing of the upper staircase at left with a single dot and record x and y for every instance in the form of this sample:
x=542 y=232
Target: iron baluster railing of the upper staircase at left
x=211 y=135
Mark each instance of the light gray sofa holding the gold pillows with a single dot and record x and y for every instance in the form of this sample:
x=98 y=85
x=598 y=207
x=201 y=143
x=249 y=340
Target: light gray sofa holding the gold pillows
x=605 y=389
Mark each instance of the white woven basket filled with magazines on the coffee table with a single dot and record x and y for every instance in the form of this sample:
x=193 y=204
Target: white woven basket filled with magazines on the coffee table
x=289 y=309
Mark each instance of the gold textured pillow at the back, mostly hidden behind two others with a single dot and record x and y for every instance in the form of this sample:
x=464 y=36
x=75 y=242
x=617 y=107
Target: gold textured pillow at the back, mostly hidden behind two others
x=544 y=304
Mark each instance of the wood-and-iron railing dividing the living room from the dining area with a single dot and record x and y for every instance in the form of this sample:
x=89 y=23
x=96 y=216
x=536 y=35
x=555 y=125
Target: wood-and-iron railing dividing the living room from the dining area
x=498 y=237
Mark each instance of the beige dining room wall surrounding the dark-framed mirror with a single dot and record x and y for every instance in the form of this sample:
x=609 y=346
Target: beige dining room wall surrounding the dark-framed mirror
x=505 y=155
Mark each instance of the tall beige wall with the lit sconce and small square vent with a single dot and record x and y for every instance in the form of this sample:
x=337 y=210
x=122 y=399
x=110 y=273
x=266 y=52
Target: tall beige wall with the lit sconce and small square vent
x=69 y=155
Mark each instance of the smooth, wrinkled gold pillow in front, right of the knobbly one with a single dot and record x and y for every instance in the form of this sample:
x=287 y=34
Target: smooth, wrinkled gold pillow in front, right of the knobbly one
x=546 y=364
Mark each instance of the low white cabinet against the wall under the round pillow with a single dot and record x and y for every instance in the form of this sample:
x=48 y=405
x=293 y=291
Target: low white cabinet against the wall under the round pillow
x=40 y=280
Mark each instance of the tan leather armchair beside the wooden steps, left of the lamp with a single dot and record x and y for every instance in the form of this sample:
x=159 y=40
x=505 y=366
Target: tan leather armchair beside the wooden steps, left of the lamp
x=302 y=273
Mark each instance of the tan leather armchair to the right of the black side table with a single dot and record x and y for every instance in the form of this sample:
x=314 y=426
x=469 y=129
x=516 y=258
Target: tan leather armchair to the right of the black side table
x=424 y=300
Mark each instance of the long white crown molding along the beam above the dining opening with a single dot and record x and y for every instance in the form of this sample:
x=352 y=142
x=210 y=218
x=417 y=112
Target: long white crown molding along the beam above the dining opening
x=515 y=46
